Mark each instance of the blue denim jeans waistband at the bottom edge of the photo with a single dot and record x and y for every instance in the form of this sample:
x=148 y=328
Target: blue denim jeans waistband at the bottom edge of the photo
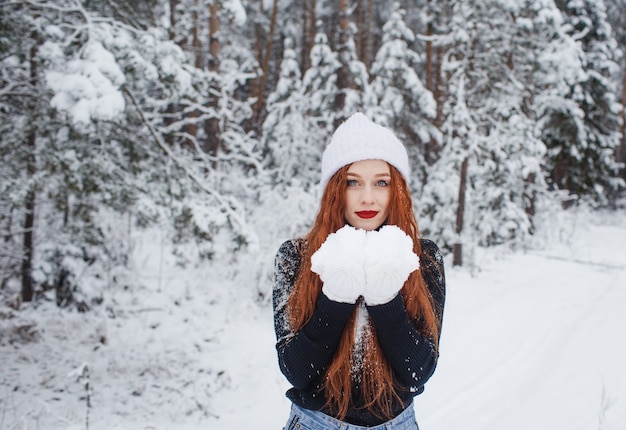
x=305 y=419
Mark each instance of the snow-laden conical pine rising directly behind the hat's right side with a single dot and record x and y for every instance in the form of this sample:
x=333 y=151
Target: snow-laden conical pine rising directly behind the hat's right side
x=402 y=101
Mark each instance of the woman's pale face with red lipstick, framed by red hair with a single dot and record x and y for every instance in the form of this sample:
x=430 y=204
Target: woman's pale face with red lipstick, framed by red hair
x=367 y=194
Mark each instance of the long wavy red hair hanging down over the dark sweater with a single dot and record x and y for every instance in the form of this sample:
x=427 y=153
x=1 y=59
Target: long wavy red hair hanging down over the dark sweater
x=375 y=373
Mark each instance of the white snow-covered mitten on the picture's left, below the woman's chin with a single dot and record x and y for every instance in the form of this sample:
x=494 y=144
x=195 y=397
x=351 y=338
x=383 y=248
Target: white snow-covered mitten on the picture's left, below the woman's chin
x=340 y=263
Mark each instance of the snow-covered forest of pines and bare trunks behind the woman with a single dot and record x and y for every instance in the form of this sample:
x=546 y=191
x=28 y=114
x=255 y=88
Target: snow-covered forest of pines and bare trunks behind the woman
x=201 y=124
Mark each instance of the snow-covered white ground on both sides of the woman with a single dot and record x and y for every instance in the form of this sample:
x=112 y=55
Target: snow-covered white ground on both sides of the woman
x=533 y=339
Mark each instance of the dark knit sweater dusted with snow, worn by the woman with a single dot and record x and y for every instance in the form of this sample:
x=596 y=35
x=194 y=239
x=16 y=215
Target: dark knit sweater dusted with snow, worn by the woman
x=304 y=356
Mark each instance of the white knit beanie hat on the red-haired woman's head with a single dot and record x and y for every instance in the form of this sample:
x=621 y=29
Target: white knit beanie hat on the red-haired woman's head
x=358 y=139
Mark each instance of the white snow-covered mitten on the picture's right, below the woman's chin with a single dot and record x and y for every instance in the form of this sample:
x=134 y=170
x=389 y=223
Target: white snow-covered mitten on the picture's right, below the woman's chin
x=389 y=260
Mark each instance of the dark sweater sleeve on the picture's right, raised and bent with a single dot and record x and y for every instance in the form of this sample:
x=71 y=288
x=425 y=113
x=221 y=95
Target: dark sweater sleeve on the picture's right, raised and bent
x=412 y=355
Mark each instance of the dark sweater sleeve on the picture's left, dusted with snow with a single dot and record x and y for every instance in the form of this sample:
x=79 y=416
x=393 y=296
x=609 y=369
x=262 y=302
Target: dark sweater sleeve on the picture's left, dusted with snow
x=303 y=355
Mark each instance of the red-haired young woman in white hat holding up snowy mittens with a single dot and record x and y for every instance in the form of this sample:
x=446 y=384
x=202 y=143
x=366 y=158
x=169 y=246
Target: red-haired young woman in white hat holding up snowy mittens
x=358 y=302
